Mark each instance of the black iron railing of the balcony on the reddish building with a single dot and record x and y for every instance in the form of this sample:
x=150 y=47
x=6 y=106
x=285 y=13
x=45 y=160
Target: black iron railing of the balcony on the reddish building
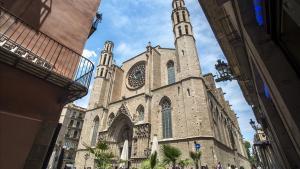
x=39 y=49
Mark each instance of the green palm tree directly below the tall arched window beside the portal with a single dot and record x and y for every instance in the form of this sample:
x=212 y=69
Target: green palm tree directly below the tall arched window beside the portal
x=171 y=155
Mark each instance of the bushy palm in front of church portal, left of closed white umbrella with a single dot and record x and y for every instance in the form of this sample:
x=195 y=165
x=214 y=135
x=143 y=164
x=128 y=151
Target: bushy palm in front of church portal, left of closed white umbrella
x=103 y=157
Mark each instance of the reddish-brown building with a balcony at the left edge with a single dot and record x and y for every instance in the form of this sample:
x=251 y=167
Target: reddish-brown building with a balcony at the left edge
x=41 y=70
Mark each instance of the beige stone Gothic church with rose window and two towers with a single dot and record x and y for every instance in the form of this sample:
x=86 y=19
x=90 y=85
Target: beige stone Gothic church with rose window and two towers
x=161 y=92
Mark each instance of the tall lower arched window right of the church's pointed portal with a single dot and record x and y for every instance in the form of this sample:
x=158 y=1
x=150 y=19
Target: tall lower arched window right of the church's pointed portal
x=166 y=118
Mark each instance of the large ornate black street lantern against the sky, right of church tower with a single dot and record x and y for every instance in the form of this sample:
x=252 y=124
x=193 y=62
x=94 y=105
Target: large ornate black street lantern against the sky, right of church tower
x=224 y=71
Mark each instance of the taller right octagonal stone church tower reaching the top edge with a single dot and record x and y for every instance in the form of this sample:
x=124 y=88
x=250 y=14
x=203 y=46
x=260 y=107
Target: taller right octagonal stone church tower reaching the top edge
x=187 y=56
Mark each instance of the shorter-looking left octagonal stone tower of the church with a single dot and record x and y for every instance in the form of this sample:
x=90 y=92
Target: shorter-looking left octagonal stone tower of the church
x=99 y=94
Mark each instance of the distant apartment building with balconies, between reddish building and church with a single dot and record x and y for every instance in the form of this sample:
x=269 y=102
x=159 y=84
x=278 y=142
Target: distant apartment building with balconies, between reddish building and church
x=71 y=120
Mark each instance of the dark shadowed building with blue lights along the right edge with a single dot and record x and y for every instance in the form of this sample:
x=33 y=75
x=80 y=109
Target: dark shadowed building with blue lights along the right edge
x=260 y=39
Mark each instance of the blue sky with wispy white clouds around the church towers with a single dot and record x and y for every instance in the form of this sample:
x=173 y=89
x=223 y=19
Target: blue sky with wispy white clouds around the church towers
x=131 y=24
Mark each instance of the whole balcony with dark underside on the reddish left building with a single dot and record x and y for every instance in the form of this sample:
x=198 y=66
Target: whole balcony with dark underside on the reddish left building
x=34 y=52
